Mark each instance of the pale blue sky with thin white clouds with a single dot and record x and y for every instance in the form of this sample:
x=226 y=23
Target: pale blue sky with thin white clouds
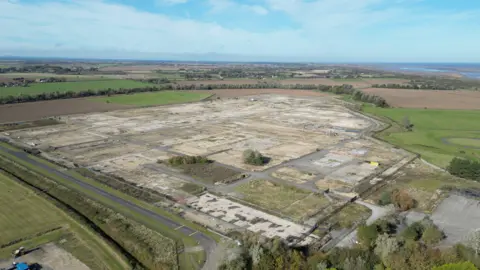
x=244 y=30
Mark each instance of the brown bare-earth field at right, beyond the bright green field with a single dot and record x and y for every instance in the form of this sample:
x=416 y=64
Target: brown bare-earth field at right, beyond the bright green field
x=431 y=99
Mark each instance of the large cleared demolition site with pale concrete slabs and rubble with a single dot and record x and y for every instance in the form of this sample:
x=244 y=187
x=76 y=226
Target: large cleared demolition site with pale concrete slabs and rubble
x=318 y=156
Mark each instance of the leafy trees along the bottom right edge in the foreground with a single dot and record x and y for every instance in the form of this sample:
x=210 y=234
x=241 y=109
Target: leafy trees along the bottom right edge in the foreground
x=386 y=244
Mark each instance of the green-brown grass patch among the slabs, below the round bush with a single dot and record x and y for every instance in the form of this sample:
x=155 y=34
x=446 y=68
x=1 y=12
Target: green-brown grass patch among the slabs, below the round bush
x=289 y=201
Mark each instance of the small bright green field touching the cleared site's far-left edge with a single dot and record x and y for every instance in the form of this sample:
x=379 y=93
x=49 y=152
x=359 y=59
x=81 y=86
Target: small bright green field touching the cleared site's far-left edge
x=153 y=98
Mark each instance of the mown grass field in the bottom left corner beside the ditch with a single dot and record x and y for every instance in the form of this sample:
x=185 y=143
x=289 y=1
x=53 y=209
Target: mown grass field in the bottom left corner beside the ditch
x=27 y=217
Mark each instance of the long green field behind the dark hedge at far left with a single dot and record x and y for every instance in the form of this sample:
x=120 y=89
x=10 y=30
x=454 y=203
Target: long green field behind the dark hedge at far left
x=39 y=88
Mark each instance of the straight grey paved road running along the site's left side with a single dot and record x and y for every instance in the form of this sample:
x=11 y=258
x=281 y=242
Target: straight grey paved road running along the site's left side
x=205 y=241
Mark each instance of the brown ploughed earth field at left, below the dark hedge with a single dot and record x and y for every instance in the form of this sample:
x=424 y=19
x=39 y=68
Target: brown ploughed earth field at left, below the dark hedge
x=37 y=110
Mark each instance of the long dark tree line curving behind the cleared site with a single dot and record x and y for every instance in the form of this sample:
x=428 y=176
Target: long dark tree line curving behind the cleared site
x=337 y=89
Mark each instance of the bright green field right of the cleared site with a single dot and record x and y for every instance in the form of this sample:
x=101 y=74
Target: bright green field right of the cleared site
x=432 y=132
